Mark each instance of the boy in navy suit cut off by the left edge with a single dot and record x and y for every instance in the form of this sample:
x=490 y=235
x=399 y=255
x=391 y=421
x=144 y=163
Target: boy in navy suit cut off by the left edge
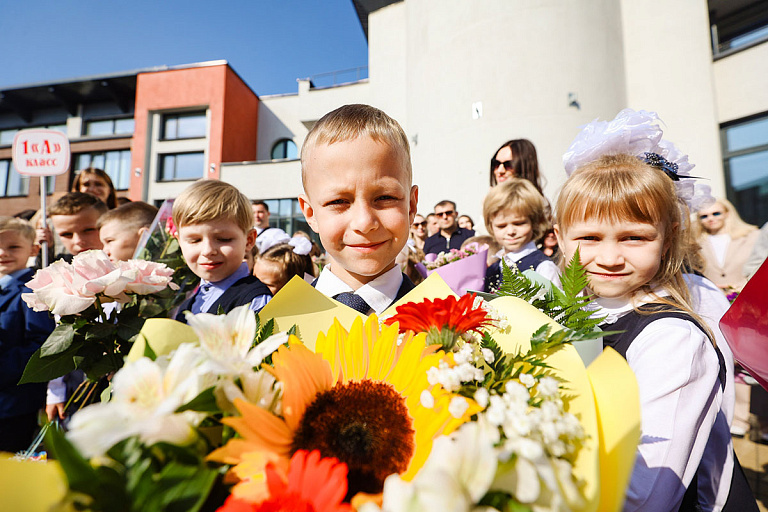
x=22 y=332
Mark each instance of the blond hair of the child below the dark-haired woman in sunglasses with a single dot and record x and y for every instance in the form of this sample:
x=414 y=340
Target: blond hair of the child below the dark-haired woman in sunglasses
x=520 y=196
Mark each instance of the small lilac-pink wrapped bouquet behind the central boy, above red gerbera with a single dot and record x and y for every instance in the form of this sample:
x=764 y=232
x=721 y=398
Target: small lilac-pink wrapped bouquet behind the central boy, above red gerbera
x=462 y=269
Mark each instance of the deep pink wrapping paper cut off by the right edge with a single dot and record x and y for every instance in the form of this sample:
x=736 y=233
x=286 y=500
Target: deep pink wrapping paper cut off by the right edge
x=745 y=326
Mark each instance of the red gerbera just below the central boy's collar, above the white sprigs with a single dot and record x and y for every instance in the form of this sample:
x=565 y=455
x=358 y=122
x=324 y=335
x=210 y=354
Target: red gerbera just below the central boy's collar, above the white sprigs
x=444 y=320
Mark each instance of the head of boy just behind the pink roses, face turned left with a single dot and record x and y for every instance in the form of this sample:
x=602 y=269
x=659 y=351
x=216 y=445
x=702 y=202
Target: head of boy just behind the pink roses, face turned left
x=120 y=229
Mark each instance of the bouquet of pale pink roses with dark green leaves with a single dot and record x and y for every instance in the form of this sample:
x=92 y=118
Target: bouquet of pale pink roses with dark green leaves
x=102 y=307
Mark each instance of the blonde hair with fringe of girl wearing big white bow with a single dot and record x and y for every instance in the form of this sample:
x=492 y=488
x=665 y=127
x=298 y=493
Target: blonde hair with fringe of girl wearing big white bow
x=618 y=188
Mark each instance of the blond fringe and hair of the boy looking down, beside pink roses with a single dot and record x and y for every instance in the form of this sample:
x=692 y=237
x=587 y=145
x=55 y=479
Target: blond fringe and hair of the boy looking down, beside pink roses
x=210 y=200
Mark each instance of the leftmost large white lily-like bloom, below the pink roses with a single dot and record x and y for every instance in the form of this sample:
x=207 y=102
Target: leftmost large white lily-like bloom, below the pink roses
x=146 y=395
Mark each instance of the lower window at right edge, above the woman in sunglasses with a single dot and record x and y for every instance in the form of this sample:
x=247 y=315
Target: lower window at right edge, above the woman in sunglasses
x=745 y=159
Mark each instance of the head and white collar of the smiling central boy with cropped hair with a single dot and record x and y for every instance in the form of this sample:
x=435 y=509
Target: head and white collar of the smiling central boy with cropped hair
x=359 y=197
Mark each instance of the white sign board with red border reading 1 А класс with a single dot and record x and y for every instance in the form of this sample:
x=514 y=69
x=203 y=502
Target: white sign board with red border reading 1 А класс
x=39 y=152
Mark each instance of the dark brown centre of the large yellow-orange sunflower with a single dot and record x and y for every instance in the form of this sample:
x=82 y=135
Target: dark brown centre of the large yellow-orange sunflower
x=364 y=424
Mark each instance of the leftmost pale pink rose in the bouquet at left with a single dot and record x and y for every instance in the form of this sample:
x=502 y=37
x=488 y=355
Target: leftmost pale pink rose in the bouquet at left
x=54 y=289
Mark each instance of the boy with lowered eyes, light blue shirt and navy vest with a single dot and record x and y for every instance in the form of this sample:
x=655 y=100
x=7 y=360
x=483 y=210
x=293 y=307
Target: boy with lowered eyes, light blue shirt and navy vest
x=215 y=224
